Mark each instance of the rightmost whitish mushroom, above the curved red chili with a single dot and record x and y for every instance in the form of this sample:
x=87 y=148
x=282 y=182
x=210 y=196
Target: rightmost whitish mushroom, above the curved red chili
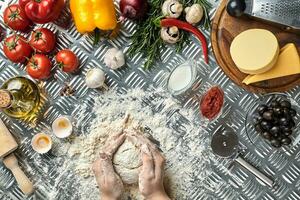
x=194 y=13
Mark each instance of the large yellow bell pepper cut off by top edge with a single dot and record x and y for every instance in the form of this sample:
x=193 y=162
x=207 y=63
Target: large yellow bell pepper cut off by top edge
x=91 y=14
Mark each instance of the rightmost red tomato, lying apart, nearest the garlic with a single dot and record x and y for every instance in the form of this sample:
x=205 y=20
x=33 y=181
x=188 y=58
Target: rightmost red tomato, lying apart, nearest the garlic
x=67 y=60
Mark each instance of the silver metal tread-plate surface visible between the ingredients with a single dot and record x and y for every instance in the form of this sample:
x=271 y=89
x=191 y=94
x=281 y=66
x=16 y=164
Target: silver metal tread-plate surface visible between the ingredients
x=283 y=166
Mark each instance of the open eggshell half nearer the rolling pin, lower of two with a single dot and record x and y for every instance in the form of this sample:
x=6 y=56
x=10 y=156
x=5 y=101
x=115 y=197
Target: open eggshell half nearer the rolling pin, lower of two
x=41 y=143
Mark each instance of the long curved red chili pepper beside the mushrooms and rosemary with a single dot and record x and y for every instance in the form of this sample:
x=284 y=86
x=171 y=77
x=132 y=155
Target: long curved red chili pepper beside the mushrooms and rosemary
x=187 y=27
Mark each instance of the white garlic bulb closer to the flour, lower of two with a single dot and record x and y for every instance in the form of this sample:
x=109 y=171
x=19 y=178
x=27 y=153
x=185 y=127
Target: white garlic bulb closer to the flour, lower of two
x=95 y=78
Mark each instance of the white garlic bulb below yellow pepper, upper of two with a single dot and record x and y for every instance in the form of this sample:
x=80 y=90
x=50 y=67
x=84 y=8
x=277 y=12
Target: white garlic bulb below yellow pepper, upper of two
x=114 y=58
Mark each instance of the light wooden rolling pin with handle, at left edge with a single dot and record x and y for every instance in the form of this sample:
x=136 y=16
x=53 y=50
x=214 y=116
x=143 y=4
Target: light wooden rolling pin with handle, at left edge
x=7 y=146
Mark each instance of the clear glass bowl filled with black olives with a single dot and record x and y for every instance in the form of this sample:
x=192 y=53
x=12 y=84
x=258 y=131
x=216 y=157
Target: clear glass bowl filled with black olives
x=273 y=120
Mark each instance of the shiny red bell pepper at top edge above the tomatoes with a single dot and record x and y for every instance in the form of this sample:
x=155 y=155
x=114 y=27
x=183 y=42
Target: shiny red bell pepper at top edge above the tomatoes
x=42 y=11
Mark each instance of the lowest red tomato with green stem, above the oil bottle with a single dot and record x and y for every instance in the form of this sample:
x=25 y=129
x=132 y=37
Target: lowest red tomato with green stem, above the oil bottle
x=39 y=66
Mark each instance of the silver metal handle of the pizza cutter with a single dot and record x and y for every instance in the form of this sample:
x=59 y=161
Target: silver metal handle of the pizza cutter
x=255 y=172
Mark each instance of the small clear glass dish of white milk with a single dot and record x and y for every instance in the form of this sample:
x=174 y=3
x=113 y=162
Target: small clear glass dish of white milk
x=182 y=78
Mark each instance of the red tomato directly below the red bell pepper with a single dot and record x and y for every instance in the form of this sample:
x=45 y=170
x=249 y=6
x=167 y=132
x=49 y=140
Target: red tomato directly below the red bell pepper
x=42 y=40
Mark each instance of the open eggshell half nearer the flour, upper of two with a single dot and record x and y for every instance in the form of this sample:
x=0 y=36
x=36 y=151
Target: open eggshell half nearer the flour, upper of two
x=62 y=127
